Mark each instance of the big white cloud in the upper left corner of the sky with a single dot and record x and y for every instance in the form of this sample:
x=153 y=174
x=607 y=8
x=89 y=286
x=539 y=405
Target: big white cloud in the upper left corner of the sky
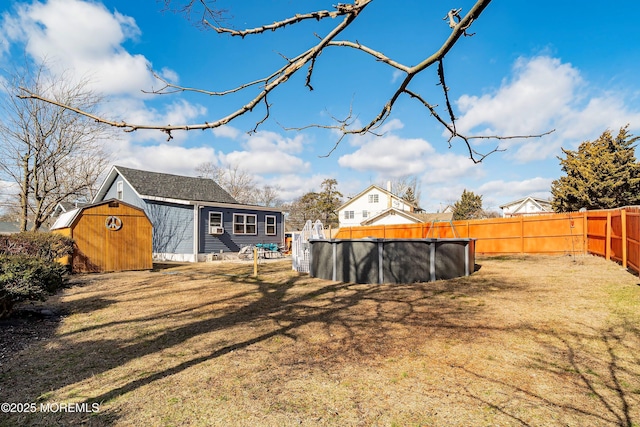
x=83 y=37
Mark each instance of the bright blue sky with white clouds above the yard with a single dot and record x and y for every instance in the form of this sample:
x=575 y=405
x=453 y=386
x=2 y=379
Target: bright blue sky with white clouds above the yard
x=529 y=68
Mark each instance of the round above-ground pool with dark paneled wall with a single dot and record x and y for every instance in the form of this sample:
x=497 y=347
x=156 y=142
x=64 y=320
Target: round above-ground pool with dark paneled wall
x=391 y=260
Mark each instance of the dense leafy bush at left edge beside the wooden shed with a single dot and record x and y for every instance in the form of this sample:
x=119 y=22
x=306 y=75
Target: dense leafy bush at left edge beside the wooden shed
x=28 y=270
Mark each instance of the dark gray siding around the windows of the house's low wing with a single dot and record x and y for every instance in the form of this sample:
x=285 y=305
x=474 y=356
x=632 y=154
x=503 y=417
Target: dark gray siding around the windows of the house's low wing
x=230 y=242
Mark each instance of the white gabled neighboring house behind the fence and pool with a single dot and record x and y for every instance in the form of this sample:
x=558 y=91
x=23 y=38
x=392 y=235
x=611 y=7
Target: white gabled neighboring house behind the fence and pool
x=372 y=202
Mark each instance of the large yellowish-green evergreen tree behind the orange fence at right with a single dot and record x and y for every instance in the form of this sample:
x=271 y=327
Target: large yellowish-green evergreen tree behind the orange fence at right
x=601 y=174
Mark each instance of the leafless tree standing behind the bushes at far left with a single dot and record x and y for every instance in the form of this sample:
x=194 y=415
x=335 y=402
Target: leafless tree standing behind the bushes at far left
x=53 y=154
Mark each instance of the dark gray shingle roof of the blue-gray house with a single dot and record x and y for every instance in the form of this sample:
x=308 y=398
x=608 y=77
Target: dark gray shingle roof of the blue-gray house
x=169 y=186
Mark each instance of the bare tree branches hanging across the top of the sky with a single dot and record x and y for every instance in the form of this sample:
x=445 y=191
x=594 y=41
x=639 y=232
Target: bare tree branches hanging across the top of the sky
x=344 y=15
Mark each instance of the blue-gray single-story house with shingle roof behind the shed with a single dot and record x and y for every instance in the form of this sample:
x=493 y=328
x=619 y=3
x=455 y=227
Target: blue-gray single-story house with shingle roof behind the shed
x=192 y=217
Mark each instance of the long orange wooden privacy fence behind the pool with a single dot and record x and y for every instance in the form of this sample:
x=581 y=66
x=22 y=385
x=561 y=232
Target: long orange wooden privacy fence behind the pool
x=613 y=234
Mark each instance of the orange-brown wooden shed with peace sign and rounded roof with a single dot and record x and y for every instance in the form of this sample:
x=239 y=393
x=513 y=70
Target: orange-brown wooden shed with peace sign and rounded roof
x=109 y=236
